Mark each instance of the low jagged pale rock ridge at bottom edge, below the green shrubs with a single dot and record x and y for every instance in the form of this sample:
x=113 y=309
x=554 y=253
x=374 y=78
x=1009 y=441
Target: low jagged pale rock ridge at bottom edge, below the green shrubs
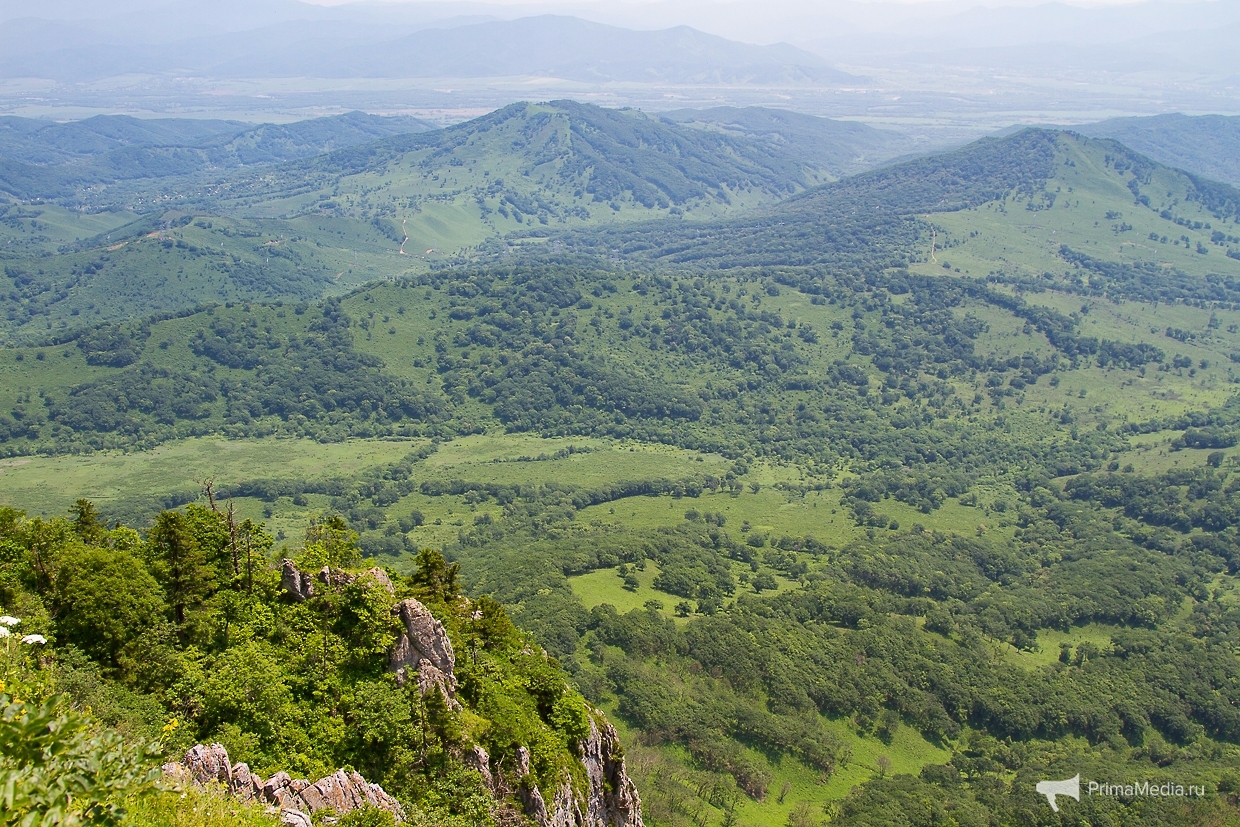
x=296 y=799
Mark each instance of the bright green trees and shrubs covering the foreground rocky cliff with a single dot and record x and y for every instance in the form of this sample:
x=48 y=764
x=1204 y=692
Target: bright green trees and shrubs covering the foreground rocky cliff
x=193 y=643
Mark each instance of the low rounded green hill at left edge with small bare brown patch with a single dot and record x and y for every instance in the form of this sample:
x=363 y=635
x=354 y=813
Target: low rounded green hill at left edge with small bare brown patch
x=169 y=263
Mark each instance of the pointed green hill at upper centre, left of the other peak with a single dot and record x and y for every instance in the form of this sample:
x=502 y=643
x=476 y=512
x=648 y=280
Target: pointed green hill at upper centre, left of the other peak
x=549 y=162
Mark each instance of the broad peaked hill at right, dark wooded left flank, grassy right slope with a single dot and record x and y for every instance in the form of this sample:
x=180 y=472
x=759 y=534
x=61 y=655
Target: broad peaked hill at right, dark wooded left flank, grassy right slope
x=1016 y=205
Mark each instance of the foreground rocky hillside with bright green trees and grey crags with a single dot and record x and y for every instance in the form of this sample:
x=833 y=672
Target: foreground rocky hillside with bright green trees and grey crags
x=457 y=712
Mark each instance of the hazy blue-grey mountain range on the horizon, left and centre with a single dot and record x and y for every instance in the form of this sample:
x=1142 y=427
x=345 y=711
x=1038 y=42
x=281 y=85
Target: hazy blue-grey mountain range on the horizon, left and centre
x=299 y=40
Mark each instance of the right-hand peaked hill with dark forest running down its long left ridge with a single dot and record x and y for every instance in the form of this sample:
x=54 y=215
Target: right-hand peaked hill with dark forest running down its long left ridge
x=870 y=219
